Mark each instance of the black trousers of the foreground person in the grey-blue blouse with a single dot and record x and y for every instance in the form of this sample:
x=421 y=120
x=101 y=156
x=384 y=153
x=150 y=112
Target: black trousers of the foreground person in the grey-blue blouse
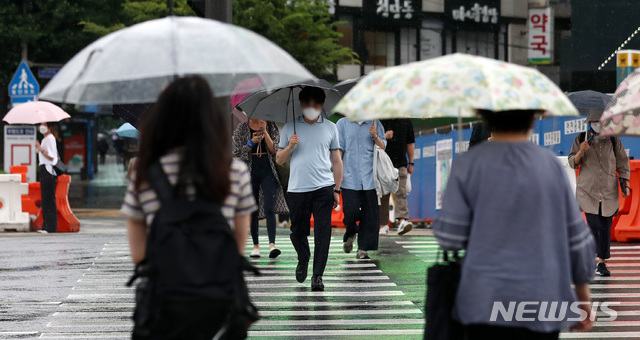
x=484 y=332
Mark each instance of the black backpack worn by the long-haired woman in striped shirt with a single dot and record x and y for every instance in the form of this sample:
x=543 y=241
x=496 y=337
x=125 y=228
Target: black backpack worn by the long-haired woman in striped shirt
x=192 y=264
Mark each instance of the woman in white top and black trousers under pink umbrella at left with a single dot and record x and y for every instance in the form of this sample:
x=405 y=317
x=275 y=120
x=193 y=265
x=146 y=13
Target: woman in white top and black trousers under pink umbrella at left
x=48 y=157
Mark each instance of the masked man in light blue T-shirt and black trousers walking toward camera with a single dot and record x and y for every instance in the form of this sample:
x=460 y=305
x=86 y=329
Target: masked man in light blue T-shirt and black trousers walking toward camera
x=313 y=146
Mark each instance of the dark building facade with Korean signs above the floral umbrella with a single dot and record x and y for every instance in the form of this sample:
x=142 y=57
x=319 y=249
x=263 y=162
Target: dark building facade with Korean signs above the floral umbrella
x=392 y=32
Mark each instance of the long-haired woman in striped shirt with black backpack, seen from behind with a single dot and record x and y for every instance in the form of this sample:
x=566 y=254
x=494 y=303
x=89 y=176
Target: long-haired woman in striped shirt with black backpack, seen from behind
x=189 y=207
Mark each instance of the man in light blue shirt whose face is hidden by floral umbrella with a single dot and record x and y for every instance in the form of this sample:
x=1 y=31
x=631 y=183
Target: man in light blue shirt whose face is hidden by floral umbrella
x=357 y=142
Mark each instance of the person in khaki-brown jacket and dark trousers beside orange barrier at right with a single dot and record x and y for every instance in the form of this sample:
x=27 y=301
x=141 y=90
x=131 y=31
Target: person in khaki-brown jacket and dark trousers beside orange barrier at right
x=599 y=159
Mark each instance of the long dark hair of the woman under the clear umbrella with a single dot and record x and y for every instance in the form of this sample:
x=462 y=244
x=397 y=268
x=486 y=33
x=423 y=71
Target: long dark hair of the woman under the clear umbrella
x=188 y=118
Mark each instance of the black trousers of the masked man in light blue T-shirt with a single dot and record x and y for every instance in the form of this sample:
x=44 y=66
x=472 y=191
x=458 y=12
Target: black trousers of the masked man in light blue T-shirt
x=302 y=205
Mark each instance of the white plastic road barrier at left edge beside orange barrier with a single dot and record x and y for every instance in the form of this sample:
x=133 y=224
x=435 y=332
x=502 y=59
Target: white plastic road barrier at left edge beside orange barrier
x=11 y=216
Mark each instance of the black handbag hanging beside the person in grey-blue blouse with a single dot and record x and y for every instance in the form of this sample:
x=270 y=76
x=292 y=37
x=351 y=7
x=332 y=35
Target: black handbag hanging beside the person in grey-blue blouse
x=443 y=280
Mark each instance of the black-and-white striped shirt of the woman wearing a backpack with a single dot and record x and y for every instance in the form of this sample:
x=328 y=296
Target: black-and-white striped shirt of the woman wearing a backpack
x=144 y=204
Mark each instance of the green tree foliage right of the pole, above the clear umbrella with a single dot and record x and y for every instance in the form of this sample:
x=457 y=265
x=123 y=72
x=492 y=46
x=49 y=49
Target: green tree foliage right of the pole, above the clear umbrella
x=304 y=28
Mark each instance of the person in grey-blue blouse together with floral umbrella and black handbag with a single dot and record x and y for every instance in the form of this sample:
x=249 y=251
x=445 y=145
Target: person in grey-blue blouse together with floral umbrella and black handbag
x=507 y=203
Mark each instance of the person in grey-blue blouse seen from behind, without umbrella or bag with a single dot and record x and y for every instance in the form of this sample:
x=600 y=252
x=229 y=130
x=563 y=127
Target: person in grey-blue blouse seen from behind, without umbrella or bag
x=508 y=203
